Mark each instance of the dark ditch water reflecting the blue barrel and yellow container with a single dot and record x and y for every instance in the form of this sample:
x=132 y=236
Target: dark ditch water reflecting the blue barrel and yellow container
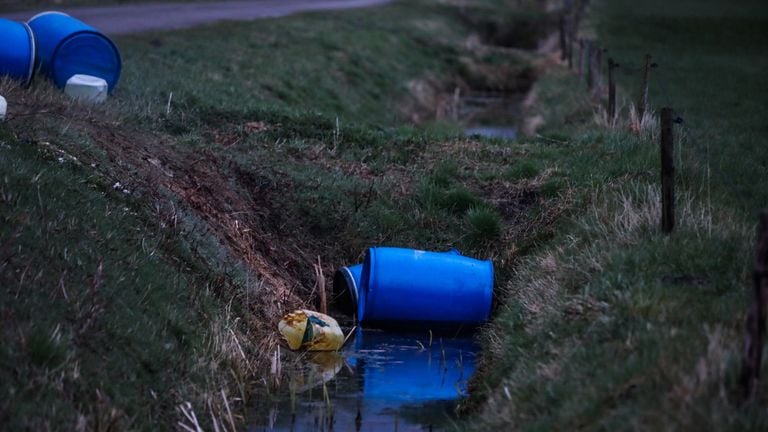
x=380 y=380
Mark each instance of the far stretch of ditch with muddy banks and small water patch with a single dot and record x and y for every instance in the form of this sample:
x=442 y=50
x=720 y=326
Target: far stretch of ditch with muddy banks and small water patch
x=489 y=93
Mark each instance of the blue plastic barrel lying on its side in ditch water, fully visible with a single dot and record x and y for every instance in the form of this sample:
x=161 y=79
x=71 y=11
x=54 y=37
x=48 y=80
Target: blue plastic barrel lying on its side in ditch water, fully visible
x=399 y=286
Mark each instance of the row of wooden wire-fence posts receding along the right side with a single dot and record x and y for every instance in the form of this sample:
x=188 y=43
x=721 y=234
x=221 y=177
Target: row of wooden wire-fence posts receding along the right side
x=590 y=64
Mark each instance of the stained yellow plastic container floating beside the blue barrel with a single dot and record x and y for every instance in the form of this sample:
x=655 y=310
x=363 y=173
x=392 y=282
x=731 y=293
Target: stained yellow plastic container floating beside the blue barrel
x=311 y=330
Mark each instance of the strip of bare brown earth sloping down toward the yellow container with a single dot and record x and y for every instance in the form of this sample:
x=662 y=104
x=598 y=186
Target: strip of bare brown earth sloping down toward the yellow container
x=202 y=182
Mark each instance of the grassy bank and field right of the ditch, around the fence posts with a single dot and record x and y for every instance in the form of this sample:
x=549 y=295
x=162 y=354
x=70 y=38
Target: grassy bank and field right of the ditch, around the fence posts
x=616 y=326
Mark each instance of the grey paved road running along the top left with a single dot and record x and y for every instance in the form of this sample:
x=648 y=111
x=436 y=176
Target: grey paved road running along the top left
x=136 y=18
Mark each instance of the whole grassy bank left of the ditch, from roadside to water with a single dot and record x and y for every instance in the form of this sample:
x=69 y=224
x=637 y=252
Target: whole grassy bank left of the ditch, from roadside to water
x=149 y=245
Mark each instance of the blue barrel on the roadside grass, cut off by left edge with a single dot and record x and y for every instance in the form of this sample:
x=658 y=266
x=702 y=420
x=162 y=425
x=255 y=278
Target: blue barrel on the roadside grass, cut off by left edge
x=17 y=51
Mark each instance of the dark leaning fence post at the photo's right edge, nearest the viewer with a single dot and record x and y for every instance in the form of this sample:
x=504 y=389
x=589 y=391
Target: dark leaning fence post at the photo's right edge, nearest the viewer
x=753 y=343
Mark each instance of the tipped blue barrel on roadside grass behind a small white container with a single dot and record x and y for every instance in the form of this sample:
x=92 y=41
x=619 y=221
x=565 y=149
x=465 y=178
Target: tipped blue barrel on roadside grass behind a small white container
x=67 y=47
